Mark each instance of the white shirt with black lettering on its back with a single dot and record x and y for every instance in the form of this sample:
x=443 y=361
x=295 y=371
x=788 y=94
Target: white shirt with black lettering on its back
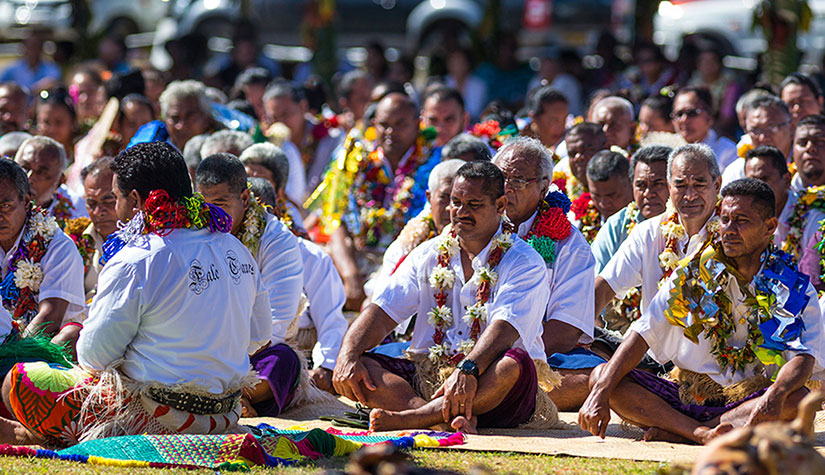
x=185 y=308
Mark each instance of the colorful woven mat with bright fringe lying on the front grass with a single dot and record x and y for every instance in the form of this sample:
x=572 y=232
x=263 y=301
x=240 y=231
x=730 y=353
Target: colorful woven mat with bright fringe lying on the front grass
x=266 y=446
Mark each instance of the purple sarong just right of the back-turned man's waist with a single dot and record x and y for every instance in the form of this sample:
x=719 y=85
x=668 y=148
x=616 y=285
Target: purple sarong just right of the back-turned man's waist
x=280 y=367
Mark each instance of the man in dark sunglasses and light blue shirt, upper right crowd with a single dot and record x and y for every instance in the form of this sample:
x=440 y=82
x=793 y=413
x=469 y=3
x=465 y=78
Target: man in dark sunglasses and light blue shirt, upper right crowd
x=693 y=119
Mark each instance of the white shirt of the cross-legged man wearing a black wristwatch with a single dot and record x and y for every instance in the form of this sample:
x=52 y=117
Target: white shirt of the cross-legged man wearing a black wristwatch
x=519 y=296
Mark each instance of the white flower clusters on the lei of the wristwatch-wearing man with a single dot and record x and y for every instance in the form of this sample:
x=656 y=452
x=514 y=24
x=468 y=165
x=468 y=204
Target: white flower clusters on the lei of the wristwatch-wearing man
x=442 y=279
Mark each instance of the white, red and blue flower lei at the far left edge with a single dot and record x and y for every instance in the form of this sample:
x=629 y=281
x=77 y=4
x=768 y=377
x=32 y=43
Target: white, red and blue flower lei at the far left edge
x=21 y=285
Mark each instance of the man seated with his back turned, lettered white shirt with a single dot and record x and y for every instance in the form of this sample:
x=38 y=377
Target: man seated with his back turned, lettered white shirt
x=180 y=305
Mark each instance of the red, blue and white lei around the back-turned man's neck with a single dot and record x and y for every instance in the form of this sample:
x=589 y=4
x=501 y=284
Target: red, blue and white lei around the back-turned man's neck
x=161 y=216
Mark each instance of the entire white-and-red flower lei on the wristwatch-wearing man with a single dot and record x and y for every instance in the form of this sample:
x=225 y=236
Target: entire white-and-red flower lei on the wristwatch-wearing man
x=442 y=280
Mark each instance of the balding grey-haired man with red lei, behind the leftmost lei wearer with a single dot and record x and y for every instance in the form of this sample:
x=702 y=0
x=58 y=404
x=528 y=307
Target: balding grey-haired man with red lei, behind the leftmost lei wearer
x=44 y=161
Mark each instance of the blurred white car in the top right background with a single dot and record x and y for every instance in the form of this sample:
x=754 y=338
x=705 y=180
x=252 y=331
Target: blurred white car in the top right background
x=727 y=24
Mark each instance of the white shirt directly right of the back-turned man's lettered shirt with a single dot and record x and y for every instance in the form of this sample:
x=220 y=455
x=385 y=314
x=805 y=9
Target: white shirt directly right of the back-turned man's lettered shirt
x=282 y=270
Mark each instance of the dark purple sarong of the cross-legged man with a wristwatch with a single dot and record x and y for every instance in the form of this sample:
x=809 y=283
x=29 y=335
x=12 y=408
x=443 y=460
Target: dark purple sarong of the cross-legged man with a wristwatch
x=516 y=408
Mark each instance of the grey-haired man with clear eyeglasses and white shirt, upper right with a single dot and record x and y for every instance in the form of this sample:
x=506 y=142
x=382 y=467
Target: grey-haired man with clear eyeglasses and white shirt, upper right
x=767 y=122
